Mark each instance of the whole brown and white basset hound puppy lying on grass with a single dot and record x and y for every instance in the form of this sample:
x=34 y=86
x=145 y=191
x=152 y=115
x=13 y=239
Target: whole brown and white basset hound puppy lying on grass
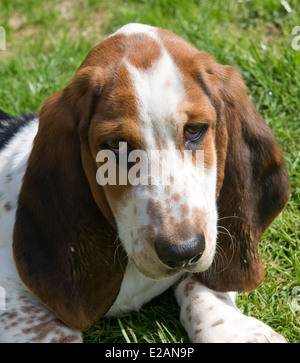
x=73 y=250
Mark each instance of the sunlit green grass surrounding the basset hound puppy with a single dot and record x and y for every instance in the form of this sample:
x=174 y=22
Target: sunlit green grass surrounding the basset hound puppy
x=46 y=45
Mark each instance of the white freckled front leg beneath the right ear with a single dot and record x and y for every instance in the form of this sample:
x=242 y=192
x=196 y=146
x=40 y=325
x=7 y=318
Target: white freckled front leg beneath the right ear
x=212 y=317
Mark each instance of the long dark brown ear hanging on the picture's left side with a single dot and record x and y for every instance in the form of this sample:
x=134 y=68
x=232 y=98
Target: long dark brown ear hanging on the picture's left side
x=64 y=248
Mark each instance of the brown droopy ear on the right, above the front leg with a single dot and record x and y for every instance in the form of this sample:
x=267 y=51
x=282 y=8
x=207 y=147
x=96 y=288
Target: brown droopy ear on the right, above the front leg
x=253 y=185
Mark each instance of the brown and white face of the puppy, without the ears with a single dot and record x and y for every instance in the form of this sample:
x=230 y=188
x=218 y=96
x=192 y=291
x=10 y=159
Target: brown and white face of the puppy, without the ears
x=153 y=111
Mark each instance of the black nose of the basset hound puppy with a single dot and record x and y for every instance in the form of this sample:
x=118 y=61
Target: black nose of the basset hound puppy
x=180 y=255
